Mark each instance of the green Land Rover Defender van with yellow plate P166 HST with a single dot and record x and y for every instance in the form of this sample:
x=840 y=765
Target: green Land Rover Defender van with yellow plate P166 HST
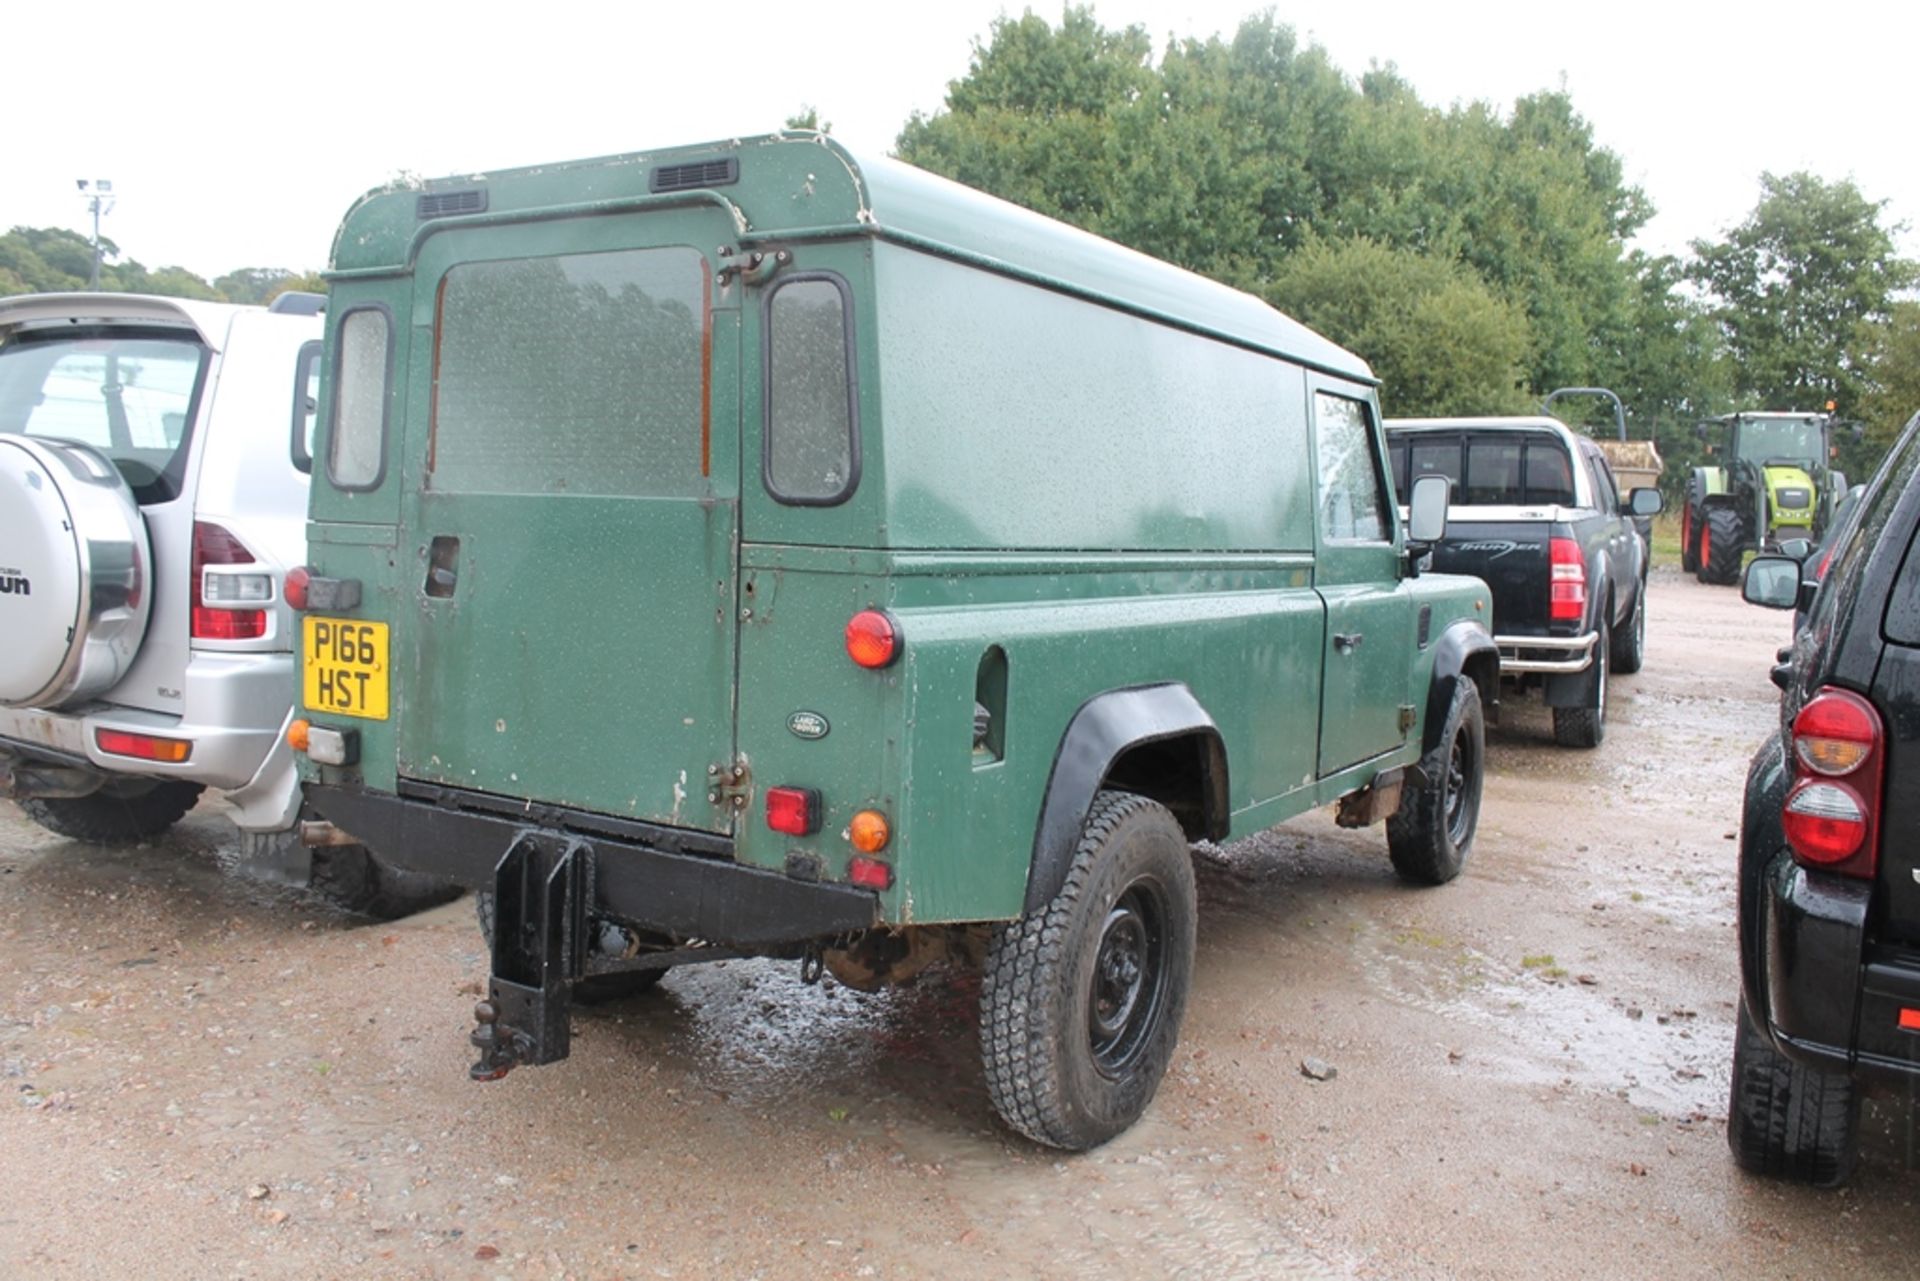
x=754 y=550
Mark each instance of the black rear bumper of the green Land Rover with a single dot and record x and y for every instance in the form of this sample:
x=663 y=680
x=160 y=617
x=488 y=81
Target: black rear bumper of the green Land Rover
x=667 y=881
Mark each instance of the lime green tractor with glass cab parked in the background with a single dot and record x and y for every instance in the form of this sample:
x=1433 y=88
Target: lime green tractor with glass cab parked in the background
x=1775 y=483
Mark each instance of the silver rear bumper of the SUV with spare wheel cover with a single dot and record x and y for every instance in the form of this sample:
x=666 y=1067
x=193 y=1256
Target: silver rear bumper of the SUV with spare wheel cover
x=235 y=717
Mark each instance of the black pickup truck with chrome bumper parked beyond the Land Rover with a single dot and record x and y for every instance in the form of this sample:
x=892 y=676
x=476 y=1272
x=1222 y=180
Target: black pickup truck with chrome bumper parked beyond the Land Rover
x=1539 y=518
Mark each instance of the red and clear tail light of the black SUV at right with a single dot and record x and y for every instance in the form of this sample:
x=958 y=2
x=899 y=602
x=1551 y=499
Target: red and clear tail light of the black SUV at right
x=1833 y=810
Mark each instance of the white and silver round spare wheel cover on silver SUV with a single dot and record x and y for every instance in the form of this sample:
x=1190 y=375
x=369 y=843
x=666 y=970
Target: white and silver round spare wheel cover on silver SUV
x=74 y=573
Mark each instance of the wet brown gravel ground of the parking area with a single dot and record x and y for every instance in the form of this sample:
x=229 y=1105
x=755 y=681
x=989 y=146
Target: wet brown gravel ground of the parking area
x=210 y=1078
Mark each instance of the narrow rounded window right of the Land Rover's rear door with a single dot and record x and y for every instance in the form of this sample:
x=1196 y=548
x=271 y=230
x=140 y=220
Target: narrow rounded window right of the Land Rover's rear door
x=813 y=429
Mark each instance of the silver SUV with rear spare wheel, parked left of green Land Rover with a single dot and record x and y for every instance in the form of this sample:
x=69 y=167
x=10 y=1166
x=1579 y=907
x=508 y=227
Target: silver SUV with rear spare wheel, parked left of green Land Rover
x=155 y=464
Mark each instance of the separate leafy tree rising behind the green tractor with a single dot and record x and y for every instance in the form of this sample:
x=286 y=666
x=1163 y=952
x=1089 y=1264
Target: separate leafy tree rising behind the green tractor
x=1792 y=289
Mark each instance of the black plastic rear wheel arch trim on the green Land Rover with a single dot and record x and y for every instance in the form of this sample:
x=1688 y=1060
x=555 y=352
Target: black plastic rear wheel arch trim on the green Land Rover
x=1101 y=733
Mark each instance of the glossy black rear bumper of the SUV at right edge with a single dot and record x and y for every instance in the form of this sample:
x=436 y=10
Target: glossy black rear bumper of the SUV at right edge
x=1835 y=1000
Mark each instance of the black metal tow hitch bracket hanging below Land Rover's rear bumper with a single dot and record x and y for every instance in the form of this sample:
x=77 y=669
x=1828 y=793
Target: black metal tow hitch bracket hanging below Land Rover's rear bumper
x=542 y=890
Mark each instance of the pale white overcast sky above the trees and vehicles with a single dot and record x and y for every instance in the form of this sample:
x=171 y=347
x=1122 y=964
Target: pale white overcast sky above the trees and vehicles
x=237 y=135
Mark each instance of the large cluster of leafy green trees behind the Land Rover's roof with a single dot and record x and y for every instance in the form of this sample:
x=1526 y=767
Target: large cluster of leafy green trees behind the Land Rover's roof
x=1234 y=157
